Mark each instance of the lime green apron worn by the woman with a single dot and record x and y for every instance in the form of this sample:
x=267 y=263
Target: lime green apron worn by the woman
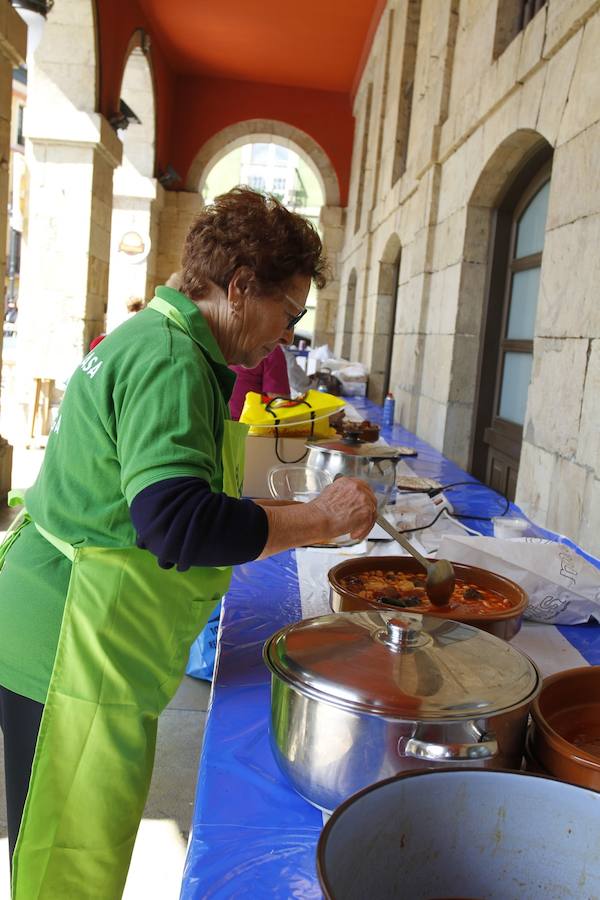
x=125 y=638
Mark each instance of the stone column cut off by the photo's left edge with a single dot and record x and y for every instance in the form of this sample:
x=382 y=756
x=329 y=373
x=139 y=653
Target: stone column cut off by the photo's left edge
x=13 y=46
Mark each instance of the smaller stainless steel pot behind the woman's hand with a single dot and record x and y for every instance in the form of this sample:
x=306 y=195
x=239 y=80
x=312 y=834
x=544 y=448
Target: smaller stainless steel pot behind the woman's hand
x=374 y=463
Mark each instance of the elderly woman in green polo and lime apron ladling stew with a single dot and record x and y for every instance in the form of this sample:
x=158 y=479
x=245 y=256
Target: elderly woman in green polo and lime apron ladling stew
x=131 y=529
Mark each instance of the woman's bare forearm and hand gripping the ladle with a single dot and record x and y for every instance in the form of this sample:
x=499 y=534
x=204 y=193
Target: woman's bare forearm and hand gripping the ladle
x=346 y=506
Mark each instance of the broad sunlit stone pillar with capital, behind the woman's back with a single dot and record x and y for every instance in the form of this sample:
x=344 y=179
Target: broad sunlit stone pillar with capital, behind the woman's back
x=64 y=275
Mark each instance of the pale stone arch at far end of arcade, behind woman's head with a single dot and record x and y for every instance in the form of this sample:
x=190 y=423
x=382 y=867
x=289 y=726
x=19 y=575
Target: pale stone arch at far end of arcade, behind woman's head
x=332 y=214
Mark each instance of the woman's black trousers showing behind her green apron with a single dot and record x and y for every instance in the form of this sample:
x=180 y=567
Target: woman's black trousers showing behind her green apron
x=20 y=720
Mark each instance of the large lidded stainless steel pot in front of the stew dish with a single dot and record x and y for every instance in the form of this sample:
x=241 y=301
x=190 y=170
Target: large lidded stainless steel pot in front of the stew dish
x=358 y=697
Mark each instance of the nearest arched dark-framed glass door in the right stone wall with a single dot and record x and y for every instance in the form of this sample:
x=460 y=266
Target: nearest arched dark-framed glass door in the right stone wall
x=508 y=347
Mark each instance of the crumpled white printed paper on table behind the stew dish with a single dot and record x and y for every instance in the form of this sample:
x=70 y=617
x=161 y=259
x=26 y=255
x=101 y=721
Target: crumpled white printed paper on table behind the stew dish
x=563 y=588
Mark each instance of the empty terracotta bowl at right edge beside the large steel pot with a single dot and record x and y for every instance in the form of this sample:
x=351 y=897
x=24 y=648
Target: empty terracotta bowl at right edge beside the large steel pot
x=565 y=737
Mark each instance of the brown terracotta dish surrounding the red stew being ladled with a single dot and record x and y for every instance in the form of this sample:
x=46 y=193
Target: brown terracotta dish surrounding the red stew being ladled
x=503 y=624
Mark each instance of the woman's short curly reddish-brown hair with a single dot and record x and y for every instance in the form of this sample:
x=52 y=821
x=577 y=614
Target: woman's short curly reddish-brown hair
x=246 y=229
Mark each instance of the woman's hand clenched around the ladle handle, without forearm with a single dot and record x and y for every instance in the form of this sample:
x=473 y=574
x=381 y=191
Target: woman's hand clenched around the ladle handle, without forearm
x=346 y=506
